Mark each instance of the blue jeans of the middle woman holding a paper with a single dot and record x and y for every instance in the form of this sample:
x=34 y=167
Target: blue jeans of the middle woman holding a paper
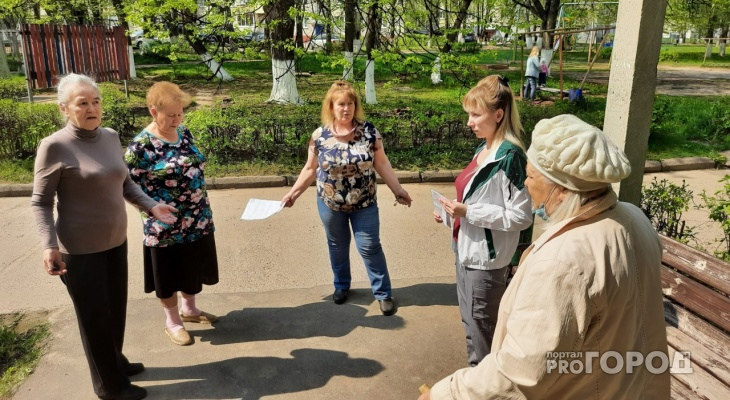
x=366 y=227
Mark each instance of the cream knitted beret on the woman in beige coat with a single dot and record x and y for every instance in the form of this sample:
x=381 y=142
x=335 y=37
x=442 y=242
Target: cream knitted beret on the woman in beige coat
x=576 y=155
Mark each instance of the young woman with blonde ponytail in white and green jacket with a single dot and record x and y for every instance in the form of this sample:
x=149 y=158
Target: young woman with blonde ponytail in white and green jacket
x=491 y=209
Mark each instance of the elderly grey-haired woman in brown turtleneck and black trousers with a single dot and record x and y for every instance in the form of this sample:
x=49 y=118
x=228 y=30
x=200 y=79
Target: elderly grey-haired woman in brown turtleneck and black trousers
x=82 y=166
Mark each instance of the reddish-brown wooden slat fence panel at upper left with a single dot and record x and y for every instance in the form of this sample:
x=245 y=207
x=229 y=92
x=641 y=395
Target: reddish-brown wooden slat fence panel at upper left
x=51 y=51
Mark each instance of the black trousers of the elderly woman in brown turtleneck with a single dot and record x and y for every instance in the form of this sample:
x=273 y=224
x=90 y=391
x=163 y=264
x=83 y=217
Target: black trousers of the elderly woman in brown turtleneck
x=97 y=284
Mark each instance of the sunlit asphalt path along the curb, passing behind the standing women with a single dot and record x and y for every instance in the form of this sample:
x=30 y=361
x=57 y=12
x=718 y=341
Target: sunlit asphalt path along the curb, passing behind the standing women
x=285 y=251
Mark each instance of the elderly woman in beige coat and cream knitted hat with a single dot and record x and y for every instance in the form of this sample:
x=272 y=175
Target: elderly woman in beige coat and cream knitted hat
x=587 y=293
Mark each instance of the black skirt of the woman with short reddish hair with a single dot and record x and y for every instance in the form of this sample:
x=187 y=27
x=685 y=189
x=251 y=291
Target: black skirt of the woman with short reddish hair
x=183 y=267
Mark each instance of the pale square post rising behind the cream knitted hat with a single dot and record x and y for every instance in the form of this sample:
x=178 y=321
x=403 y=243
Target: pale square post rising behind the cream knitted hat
x=631 y=85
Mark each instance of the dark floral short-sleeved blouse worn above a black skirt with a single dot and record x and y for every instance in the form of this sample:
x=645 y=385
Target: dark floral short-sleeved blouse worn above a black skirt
x=171 y=173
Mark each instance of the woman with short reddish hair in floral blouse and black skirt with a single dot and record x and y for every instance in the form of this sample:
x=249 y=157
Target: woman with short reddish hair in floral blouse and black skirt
x=180 y=257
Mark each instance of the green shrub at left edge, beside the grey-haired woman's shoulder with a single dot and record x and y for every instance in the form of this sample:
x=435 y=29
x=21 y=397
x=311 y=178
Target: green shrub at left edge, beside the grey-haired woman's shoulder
x=23 y=125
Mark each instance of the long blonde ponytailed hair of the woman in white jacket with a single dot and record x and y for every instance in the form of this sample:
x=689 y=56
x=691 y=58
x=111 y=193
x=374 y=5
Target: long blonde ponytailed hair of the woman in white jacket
x=492 y=93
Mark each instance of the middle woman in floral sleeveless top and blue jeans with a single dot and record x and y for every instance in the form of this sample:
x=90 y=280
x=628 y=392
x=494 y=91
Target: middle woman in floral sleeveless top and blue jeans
x=344 y=155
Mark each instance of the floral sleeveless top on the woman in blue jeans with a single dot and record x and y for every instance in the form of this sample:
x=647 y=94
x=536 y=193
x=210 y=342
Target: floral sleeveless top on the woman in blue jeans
x=346 y=179
